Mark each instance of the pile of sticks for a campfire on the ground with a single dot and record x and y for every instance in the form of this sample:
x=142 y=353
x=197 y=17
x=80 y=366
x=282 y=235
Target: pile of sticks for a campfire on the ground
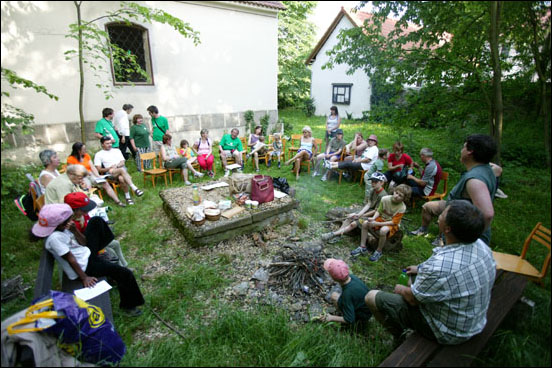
x=298 y=270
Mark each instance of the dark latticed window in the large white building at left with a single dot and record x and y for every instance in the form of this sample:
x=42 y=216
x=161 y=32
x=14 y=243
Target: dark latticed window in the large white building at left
x=135 y=40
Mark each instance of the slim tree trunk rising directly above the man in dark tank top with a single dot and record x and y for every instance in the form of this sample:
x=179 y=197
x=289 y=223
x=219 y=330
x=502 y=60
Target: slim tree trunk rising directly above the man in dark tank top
x=498 y=107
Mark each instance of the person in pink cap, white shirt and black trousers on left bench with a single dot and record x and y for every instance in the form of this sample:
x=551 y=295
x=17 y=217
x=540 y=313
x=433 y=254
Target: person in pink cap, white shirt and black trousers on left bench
x=67 y=245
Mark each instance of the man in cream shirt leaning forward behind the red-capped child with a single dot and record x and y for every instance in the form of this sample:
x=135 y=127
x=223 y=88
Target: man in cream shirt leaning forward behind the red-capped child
x=68 y=182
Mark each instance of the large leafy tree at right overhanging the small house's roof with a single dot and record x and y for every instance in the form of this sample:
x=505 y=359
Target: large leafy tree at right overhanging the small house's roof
x=457 y=46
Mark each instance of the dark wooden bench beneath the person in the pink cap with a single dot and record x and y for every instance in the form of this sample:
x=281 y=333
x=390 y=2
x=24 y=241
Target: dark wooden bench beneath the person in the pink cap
x=43 y=284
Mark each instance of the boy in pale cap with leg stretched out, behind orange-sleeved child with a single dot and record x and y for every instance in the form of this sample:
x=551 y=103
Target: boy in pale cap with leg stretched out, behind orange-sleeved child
x=354 y=220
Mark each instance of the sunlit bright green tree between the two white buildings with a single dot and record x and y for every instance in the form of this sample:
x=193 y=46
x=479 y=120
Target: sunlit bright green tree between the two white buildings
x=295 y=41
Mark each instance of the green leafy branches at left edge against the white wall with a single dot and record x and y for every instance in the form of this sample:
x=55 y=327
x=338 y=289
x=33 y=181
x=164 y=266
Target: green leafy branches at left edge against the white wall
x=14 y=117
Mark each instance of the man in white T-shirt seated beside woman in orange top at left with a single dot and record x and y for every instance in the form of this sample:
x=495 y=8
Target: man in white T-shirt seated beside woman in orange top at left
x=111 y=161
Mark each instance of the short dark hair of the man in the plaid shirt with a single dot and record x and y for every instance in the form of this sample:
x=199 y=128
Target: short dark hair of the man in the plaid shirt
x=466 y=221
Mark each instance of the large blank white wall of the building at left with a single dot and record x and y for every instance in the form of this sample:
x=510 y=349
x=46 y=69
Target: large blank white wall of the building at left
x=233 y=69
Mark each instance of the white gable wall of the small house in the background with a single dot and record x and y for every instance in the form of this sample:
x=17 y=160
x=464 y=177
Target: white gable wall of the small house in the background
x=321 y=85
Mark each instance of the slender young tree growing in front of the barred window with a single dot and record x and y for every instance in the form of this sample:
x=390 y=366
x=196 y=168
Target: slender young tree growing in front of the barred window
x=94 y=45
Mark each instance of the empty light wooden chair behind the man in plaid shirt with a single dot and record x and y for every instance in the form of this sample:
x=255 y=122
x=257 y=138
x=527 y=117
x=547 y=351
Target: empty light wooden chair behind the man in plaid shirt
x=519 y=264
